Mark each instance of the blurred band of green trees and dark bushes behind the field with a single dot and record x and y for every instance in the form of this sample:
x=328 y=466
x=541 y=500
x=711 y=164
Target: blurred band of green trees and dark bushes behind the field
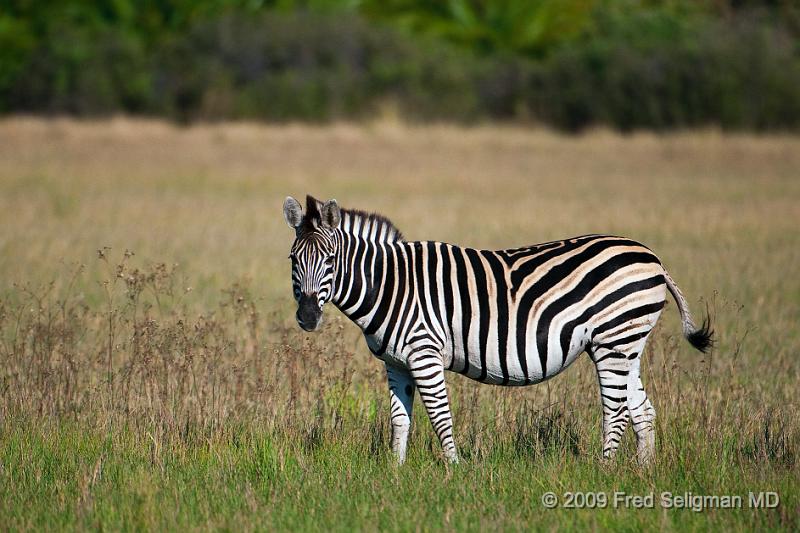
x=567 y=63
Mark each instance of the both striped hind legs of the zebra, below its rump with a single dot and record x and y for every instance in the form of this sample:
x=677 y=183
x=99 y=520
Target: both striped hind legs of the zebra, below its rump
x=624 y=399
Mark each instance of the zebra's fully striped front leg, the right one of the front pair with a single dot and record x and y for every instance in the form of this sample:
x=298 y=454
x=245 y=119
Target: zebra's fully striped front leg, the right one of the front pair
x=427 y=369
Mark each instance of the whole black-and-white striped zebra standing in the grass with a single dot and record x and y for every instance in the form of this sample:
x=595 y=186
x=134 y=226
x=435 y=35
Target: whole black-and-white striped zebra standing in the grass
x=507 y=317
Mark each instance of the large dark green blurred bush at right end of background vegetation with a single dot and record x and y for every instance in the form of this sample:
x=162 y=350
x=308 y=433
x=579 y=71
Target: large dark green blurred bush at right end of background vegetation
x=641 y=74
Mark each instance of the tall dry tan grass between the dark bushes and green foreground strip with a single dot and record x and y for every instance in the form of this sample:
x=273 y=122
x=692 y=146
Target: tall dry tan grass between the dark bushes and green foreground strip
x=146 y=287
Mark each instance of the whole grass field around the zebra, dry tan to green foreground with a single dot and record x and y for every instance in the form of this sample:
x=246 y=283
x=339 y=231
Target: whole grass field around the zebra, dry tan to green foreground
x=151 y=374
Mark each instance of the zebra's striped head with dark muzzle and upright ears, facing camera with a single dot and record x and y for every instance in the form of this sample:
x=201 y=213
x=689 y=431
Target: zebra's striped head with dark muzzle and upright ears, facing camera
x=313 y=256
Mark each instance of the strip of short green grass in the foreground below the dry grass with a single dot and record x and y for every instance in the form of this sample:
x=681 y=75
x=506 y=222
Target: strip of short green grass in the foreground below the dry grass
x=250 y=479
